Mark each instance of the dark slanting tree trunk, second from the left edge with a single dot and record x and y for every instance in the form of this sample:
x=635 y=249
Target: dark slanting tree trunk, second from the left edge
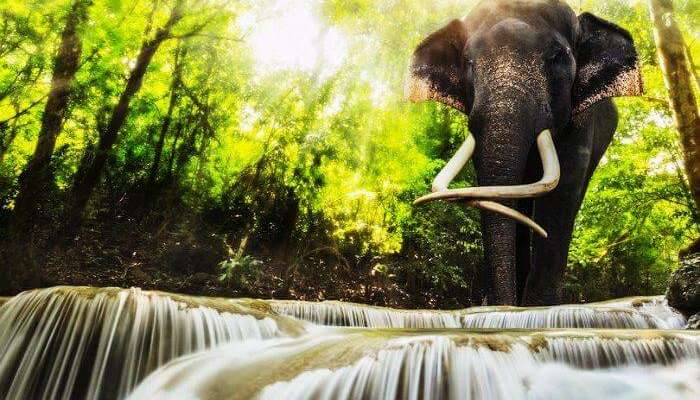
x=90 y=169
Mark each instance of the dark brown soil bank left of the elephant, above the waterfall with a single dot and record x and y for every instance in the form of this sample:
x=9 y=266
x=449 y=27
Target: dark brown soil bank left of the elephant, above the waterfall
x=185 y=259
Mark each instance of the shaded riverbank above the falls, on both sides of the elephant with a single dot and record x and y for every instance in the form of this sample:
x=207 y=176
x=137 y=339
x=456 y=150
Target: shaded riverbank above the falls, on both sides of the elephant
x=190 y=254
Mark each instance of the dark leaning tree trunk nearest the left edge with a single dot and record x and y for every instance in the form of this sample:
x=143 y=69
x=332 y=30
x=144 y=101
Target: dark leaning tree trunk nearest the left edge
x=38 y=173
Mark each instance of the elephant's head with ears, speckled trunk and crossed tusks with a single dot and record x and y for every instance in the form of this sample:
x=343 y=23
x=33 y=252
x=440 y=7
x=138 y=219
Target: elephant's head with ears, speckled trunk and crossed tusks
x=522 y=71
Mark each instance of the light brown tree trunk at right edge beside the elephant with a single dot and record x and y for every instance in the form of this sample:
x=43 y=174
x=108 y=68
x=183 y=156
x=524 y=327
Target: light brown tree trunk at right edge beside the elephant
x=679 y=82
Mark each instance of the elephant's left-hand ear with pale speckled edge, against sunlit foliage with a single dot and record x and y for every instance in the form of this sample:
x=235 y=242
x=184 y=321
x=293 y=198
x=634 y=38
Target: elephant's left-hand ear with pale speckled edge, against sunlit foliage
x=437 y=71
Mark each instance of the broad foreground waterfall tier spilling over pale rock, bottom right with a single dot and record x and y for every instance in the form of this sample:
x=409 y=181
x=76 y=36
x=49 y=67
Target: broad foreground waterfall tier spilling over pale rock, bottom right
x=395 y=364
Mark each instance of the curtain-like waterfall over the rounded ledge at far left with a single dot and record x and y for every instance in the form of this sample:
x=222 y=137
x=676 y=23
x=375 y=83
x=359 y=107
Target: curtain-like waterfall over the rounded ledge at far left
x=99 y=343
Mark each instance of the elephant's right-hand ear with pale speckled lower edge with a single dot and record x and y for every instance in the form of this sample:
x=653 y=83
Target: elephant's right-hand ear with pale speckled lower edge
x=608 y=65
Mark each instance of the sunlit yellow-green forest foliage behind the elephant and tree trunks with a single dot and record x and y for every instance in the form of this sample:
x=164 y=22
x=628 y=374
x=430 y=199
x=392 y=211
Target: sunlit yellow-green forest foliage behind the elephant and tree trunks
x=319 y=150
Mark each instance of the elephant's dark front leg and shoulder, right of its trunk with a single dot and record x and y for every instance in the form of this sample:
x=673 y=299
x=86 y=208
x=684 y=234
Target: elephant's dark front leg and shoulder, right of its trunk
x=580 y=151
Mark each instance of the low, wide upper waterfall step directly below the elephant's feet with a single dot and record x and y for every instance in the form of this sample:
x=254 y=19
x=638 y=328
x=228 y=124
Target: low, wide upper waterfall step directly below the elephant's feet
x=634 y=313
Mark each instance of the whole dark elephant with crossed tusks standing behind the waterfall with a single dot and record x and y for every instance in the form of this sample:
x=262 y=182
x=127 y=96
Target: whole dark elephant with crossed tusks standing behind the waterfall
x=536 y=82
